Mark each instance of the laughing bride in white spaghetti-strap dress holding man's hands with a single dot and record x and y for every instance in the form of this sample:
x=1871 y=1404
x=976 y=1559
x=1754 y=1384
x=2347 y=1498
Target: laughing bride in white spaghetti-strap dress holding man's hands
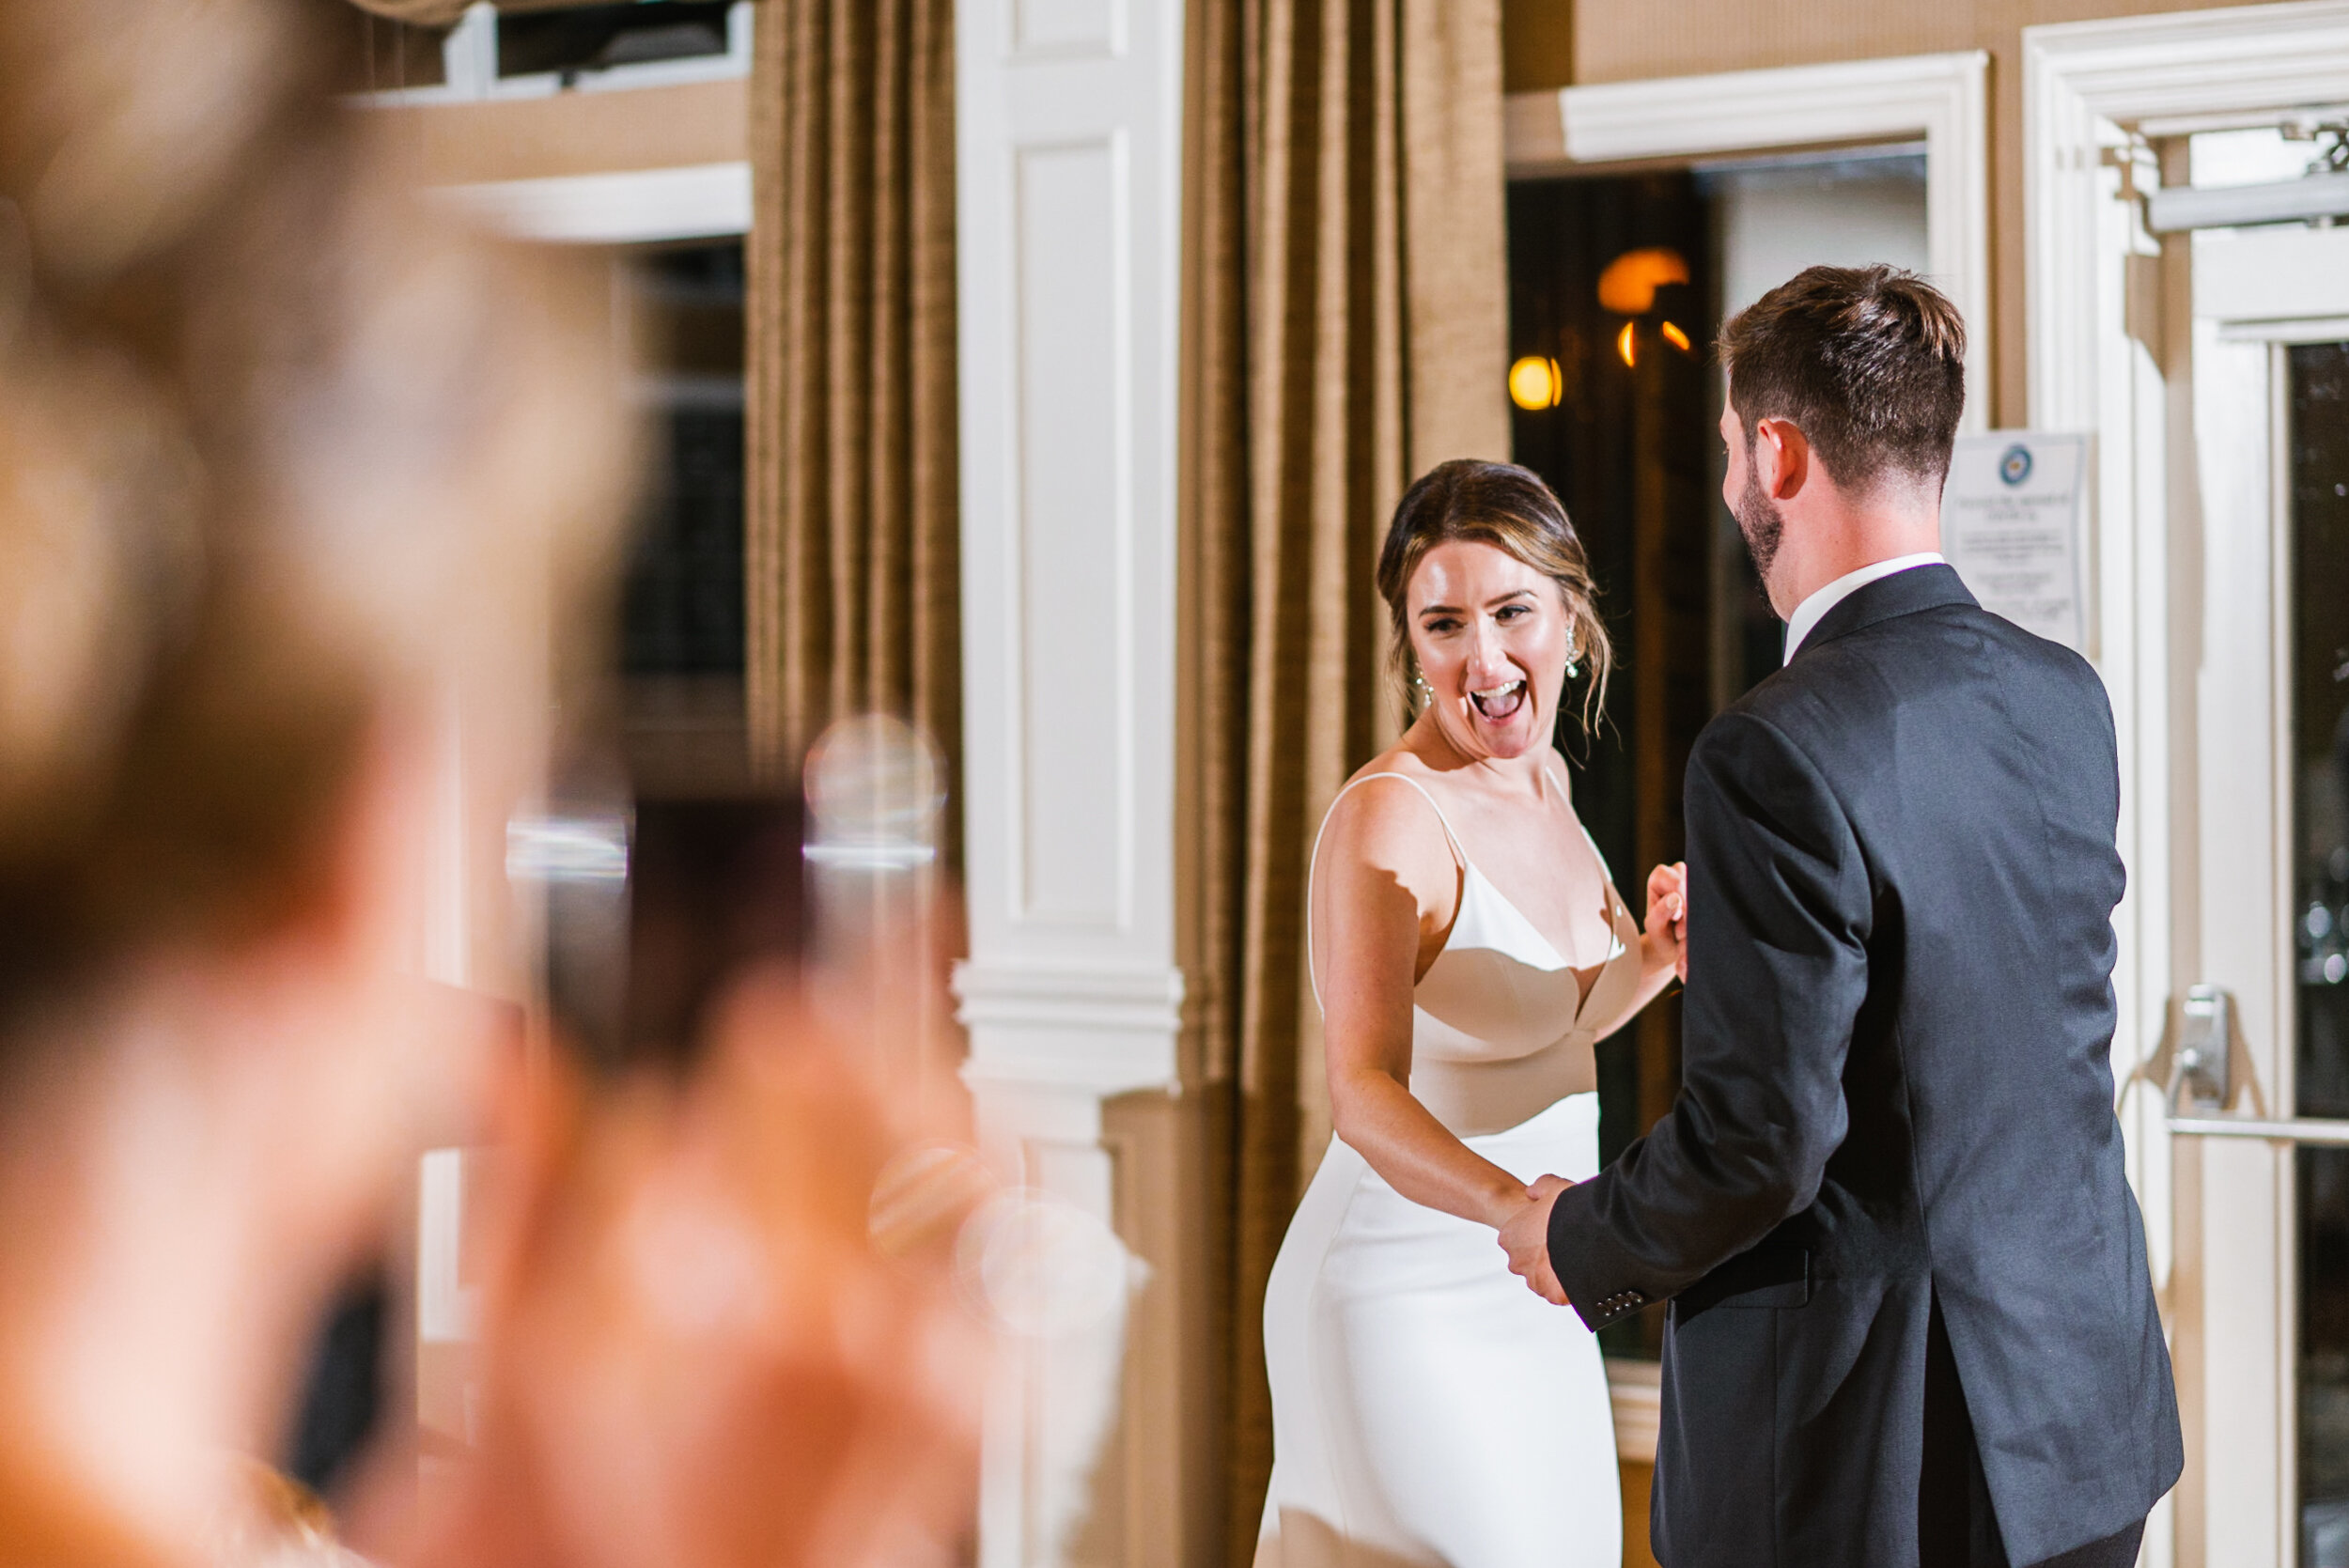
x=1467 y=949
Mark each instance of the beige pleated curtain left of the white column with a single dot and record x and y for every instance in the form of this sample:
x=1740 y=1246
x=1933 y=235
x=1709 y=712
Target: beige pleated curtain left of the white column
x=852 y=442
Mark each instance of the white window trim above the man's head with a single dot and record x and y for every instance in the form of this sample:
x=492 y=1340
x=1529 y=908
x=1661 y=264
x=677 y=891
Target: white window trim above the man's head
x=1939 y=97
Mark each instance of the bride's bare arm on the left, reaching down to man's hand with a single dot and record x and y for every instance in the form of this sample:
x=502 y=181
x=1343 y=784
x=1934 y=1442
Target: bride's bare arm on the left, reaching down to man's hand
x=1385 y=891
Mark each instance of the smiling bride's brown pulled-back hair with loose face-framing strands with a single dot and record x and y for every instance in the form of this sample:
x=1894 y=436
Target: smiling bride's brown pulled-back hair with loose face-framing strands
x=1514 y=511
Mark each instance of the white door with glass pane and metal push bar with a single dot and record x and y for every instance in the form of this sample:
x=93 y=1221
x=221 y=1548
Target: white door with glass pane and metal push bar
x=2261 y=623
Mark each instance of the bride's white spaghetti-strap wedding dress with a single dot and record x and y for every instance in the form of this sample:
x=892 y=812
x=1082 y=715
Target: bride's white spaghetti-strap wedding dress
x=1429 y=1410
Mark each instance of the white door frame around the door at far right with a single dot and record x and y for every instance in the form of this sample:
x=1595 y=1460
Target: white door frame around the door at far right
x=2101 y=363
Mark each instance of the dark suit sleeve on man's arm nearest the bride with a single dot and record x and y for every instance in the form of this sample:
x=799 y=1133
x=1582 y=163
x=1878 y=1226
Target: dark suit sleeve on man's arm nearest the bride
x=1779 y=917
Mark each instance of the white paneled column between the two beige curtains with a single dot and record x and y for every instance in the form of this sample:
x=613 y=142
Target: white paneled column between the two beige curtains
x=1070 y=210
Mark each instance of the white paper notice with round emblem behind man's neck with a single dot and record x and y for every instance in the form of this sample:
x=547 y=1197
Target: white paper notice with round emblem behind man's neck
x=2010 y=525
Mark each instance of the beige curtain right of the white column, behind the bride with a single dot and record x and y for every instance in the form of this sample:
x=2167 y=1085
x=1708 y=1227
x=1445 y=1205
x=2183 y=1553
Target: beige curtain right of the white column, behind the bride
x=1345 y=330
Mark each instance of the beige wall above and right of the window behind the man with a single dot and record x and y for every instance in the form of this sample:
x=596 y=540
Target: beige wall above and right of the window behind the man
x=1554 y=43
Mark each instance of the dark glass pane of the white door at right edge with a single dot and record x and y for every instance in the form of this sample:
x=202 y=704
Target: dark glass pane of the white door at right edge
x=2320 y=694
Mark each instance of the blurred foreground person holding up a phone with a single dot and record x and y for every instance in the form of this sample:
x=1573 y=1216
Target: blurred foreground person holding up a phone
x=283 y=466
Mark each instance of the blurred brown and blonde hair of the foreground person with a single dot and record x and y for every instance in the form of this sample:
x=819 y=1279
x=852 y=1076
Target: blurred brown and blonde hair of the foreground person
x=281 y=450
